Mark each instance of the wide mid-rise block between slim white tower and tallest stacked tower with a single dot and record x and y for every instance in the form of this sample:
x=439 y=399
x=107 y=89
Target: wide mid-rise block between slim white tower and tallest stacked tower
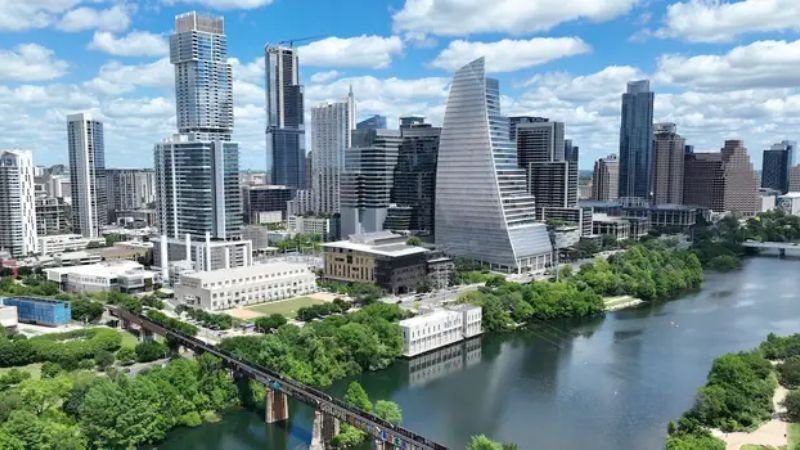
x=129 y=190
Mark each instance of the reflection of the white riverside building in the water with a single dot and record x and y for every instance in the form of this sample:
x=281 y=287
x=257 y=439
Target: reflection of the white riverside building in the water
x=444 y=361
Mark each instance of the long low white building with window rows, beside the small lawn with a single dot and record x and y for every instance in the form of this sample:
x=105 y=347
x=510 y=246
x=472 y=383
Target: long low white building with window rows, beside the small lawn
x=241 y=286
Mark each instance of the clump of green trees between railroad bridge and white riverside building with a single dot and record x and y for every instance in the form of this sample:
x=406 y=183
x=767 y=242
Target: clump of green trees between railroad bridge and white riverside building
x=328 y=349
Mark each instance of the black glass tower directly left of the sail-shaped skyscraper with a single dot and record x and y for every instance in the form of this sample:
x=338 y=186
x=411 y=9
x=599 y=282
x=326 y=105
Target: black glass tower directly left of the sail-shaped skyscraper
x=415 y=175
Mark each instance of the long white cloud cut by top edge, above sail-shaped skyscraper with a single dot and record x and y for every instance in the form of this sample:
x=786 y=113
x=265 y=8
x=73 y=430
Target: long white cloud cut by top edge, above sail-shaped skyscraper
x=457 y=18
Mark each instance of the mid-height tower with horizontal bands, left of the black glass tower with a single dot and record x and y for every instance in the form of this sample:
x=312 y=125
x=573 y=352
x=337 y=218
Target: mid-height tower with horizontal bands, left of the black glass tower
x=366 y=184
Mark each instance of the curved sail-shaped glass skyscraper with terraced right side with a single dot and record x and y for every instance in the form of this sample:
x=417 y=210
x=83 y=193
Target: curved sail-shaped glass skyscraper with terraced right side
x=483 y=209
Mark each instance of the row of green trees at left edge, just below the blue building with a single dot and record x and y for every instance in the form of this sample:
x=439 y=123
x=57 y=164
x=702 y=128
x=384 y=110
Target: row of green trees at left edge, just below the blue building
x=66 y=349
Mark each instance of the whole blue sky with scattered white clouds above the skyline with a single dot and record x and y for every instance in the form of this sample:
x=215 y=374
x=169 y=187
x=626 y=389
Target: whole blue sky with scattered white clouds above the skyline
x=720 y=69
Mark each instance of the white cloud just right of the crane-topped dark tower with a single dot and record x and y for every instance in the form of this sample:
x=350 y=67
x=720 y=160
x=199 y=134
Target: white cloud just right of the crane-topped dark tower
x=374 y=52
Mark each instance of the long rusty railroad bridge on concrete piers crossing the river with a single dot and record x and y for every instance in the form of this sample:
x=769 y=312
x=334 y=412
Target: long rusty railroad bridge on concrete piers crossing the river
x=329 y=411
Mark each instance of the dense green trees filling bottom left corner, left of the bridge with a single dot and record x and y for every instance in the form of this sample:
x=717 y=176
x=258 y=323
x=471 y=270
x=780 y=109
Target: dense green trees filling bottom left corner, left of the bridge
x=79 y=410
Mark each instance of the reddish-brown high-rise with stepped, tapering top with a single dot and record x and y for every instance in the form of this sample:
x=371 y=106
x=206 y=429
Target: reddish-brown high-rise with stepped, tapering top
x=722 y=182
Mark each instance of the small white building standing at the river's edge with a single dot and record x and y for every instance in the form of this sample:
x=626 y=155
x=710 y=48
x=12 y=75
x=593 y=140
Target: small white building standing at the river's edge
x=440 y=328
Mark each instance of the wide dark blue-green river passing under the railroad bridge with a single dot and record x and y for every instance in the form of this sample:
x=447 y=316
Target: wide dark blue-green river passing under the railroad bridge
x=610 y=383
